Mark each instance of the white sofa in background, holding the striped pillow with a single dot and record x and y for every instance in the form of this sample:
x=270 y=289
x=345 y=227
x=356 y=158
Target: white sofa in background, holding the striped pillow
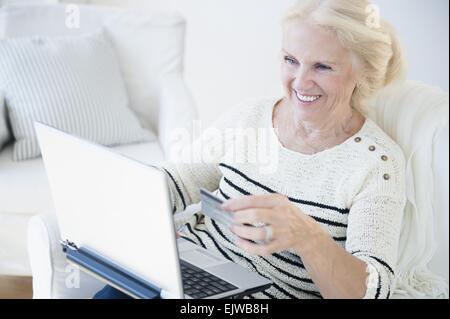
x=24 y=190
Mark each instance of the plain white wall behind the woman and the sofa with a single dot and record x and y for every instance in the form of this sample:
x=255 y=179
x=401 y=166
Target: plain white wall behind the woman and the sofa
x=233 y=45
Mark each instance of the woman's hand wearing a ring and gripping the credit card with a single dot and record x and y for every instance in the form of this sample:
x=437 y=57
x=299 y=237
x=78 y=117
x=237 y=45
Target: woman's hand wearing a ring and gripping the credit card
x=290 y=228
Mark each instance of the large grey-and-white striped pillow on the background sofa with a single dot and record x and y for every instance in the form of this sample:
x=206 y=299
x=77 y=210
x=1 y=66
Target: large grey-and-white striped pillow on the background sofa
x=72 y=83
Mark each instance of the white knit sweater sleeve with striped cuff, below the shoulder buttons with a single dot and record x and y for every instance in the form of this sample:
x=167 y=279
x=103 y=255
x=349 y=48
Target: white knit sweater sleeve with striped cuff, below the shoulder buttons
x=374 y=224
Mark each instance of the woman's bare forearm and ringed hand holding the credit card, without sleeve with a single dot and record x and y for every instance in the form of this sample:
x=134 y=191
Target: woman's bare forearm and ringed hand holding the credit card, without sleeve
x=335 y=272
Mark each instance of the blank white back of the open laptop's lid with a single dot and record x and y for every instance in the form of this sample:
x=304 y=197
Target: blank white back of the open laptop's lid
x=112 y=205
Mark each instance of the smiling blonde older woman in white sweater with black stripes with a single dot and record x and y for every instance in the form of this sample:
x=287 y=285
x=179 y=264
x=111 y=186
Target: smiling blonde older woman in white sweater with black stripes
x=333 y=207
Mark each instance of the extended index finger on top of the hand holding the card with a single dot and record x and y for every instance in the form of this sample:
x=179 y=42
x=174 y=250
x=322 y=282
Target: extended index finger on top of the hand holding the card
x=254 y=201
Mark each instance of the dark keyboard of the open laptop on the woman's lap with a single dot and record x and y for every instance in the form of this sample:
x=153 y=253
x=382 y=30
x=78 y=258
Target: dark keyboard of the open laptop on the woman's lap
x=198 y=283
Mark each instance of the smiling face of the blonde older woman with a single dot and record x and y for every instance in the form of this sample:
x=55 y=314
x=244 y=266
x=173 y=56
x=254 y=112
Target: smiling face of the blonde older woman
x=317 y=73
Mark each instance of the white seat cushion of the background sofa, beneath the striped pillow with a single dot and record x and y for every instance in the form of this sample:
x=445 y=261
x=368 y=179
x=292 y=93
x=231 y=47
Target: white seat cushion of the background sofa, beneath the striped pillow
x=24 y=187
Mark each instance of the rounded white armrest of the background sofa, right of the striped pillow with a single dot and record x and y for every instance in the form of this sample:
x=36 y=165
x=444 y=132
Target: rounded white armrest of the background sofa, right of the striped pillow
x=177 y=110
